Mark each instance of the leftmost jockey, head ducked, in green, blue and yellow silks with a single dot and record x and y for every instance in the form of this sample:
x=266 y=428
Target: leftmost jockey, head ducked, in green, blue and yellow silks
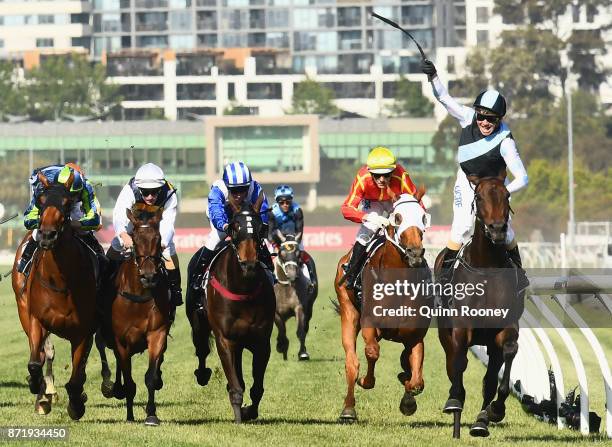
x=84 y=212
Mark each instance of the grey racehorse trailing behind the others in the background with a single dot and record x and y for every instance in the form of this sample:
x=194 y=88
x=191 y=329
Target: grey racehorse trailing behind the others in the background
x=293 y=297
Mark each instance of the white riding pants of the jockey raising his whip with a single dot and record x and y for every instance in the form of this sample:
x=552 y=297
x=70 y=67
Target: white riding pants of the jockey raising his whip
x=464 y=211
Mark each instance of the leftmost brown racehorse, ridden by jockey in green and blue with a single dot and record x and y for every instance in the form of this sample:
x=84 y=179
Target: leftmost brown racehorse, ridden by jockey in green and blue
x=59 y=295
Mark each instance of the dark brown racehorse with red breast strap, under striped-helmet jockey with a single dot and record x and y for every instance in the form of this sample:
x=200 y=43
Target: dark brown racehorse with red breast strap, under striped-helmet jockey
x=240 y=307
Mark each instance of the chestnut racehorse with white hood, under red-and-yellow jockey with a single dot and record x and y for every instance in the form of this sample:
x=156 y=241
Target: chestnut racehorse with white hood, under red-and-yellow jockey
x=403 y=248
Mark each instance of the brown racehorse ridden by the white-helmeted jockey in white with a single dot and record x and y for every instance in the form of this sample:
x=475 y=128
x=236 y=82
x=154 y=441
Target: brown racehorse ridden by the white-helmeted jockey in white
x=140 y=312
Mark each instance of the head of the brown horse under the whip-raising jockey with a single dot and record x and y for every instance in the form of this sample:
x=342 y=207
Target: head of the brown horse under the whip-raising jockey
x=492 y=203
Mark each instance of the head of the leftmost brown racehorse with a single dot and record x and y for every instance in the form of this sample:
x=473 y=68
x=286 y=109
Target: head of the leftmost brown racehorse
x=54 y=204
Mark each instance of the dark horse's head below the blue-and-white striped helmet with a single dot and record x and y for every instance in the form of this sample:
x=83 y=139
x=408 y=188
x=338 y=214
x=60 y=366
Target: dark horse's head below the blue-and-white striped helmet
x=245 y=231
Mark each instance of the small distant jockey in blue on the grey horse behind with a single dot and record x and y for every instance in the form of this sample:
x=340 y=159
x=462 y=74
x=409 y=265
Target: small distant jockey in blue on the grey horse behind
x=286 y=217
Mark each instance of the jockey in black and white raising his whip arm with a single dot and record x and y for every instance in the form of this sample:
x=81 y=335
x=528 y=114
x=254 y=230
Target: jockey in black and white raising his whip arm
x=486 y=147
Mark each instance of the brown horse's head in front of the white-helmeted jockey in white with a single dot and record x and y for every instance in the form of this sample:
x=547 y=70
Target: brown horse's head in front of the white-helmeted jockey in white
x=147 y=245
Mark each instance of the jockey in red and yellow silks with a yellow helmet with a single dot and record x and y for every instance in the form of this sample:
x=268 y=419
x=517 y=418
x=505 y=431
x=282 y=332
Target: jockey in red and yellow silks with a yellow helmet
x=375 y=186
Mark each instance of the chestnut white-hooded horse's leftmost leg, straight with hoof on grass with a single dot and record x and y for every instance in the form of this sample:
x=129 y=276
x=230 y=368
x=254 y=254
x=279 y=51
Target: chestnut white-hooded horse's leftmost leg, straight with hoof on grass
x=350 y=327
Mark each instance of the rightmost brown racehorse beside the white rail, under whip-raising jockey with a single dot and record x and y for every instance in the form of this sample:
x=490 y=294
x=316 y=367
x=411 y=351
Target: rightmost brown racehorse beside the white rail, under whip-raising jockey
x=487 y=251
